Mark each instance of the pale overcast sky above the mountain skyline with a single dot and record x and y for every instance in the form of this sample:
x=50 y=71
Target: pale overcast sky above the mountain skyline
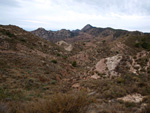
x=75 y=14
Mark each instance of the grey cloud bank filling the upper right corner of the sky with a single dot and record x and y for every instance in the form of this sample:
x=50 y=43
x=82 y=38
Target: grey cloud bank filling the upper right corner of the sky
x=120 y=6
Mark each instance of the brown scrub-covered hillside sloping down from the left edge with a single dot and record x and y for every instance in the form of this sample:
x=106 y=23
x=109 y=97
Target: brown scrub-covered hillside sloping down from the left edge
x=30 y=64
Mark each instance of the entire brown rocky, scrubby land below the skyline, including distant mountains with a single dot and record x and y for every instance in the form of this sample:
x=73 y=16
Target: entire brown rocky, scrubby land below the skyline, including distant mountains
x=92 y=70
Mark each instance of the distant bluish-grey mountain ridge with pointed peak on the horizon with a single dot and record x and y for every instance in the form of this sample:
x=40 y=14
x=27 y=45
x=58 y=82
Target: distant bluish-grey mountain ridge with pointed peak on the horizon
x=87 y=31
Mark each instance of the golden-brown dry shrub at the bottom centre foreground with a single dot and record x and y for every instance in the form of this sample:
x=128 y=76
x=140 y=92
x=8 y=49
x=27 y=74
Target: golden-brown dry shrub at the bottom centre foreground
x=67 y=103
